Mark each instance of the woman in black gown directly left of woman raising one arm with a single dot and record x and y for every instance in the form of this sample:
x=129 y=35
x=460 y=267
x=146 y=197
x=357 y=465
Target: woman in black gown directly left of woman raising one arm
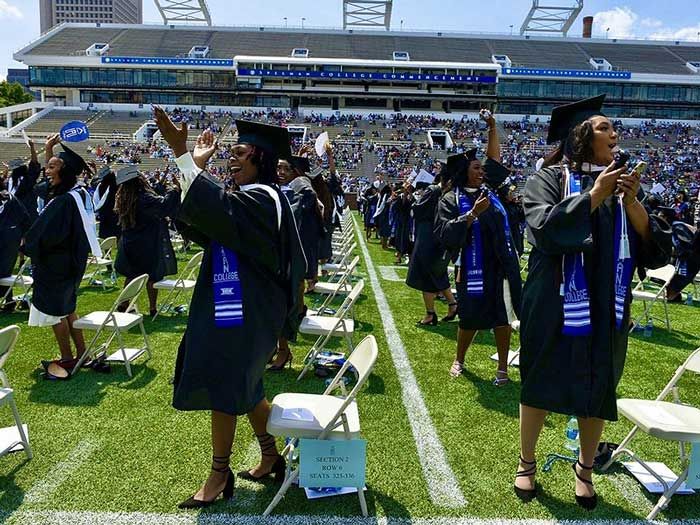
x=427 y=269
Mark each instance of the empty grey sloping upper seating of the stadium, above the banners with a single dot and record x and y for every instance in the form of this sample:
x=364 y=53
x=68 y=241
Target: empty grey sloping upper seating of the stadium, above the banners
x=227 y=42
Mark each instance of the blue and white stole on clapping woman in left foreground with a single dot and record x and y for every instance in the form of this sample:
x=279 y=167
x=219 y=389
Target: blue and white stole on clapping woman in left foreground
x=226 y=281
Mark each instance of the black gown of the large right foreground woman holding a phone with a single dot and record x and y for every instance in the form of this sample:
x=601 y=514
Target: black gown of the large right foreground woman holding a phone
x=575 y=375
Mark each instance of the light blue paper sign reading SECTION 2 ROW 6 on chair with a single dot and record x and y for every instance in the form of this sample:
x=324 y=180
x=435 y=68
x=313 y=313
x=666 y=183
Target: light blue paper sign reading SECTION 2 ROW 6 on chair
x=325 y=463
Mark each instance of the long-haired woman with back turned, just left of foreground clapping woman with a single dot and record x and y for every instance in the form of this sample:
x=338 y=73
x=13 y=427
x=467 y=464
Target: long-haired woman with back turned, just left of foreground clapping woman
x=144 y=245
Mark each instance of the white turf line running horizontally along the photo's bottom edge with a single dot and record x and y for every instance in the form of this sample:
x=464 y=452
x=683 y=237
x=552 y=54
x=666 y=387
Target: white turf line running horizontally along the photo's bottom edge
x=187 y=518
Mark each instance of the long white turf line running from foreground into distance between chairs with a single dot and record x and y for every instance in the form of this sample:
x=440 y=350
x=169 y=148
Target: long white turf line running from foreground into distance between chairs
x=441 y=482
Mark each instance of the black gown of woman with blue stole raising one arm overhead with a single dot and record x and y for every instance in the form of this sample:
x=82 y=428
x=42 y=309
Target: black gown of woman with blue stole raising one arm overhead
x=488 y=310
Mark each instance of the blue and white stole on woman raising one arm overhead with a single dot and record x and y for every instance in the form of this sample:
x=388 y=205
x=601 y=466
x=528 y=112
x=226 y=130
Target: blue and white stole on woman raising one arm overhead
x=472 y=255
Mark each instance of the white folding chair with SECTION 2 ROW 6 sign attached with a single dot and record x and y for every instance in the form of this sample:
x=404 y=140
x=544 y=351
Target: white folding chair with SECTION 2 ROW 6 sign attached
x=334 y=418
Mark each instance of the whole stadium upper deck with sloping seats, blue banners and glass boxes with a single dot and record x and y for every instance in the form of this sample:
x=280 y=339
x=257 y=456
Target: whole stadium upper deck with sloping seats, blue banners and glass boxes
x=255 y=67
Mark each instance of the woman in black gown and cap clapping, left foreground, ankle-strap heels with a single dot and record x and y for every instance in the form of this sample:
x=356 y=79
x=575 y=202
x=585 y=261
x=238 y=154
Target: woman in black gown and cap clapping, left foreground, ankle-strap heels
x=246 y=294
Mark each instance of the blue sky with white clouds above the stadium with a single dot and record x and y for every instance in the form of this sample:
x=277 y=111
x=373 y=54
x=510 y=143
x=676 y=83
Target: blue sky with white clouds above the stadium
x=668 y=19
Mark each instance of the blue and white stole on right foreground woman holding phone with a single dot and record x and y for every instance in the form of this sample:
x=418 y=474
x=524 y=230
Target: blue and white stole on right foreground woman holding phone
x=574 y=287
